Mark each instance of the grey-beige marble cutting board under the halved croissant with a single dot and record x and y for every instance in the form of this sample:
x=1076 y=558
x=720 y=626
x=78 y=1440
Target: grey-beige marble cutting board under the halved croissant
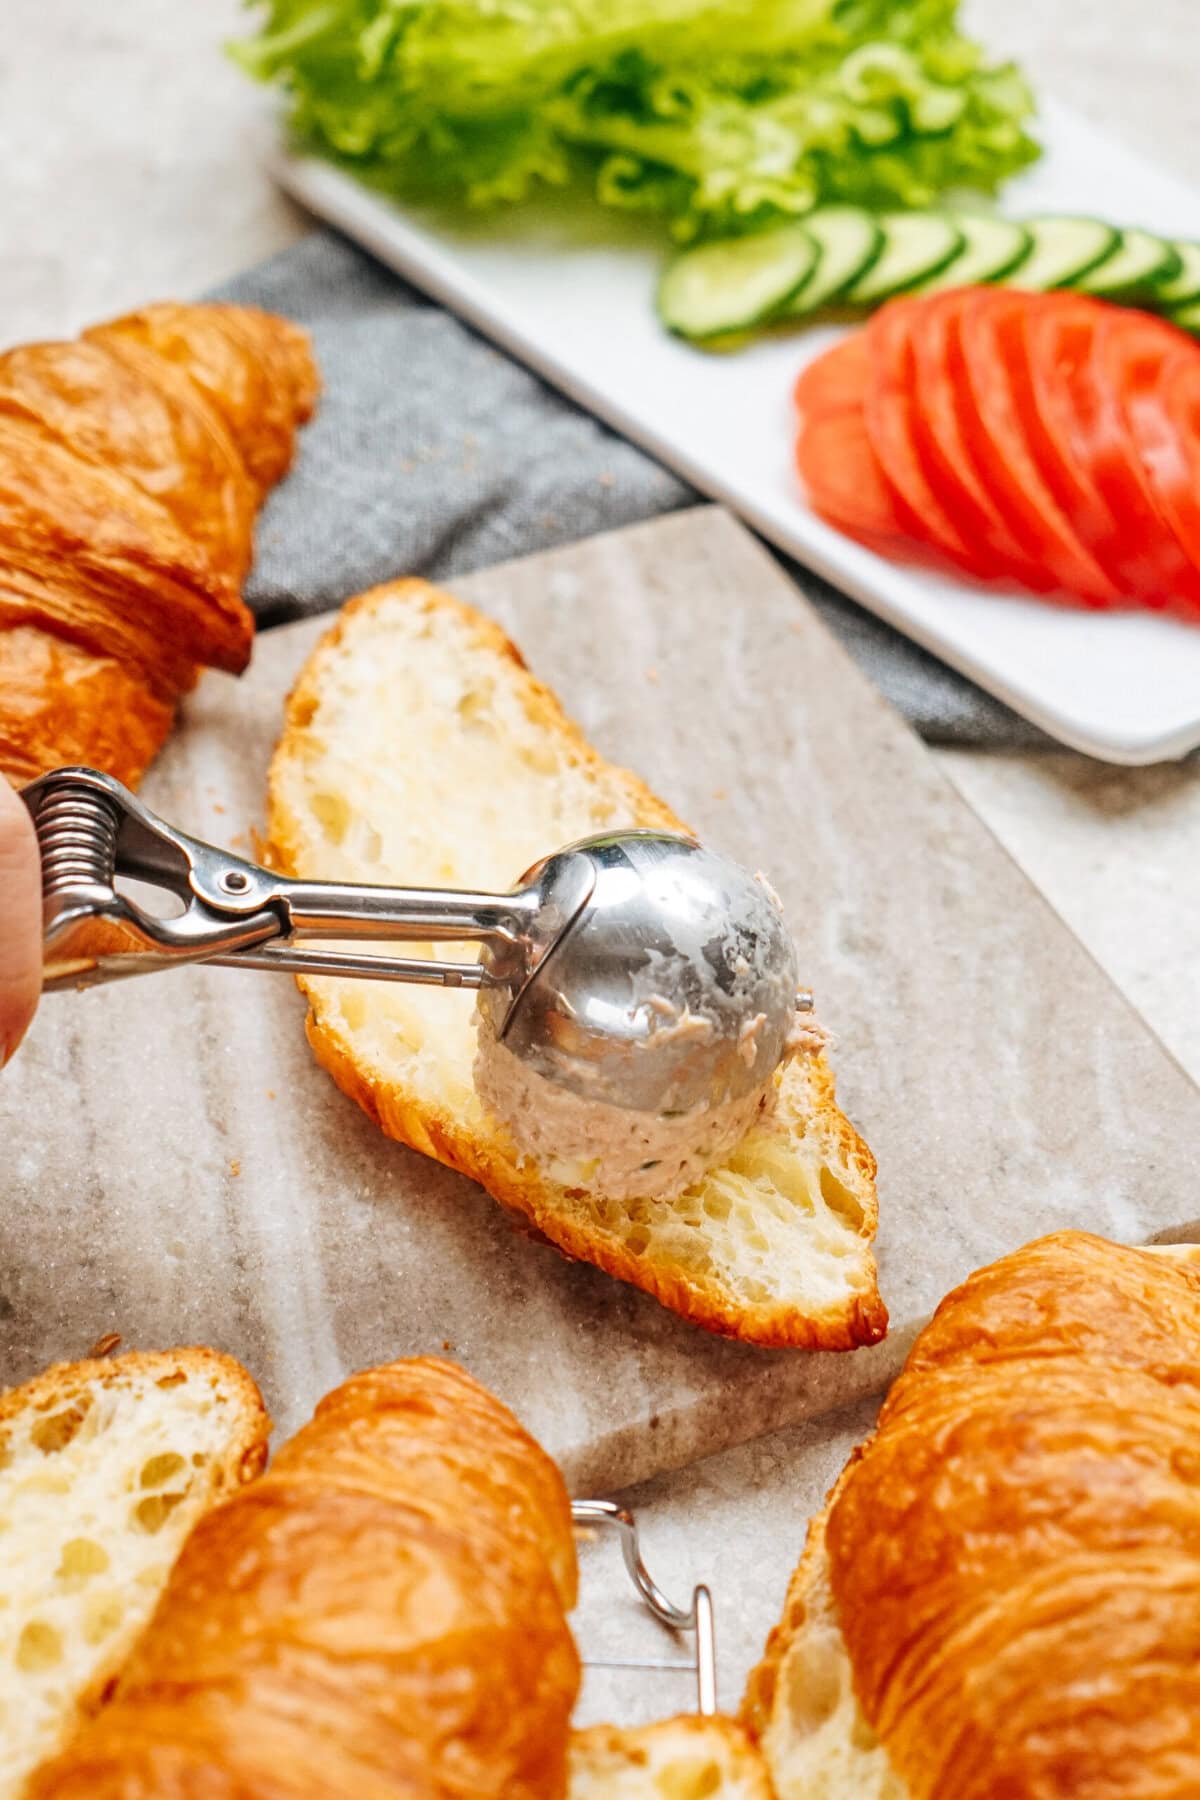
x=175 y=1167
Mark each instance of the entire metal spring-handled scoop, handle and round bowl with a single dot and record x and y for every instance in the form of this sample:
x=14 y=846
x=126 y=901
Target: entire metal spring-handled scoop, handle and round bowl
x=636 y=967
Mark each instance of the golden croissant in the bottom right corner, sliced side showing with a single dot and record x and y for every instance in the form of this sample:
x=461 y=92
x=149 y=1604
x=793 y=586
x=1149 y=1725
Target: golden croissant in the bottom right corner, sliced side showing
x=1012 y=1565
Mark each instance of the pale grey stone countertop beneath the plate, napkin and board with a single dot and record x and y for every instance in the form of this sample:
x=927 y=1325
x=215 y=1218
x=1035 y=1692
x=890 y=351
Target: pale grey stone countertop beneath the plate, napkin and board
x=127 y=175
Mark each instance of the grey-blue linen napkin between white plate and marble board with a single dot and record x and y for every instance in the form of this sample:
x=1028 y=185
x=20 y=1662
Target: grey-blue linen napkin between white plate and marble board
x=434 y=454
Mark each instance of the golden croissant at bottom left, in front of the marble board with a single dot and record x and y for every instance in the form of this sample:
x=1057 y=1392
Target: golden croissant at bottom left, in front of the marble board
x=377 y=1617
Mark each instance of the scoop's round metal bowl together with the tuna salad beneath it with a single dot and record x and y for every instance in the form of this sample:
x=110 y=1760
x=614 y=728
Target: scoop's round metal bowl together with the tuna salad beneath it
x=650 y=1039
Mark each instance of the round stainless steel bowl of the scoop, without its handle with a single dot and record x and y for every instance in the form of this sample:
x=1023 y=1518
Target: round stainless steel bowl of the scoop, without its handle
x=670 y=985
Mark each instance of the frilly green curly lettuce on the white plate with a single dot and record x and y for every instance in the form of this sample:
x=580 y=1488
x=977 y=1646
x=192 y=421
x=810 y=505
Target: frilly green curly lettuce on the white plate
x=719 y=118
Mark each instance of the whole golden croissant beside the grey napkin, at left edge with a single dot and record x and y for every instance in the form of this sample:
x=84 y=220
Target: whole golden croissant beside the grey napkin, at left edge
x=132 y=465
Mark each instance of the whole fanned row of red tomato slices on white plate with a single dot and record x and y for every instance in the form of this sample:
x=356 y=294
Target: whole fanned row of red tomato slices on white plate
x=1043 y=440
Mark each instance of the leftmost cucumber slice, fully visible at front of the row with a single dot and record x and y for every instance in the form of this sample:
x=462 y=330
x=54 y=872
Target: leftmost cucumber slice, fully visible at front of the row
x=730 y=287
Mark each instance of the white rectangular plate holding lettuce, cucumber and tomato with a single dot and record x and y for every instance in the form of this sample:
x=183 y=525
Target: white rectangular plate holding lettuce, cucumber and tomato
x=573 y=296
